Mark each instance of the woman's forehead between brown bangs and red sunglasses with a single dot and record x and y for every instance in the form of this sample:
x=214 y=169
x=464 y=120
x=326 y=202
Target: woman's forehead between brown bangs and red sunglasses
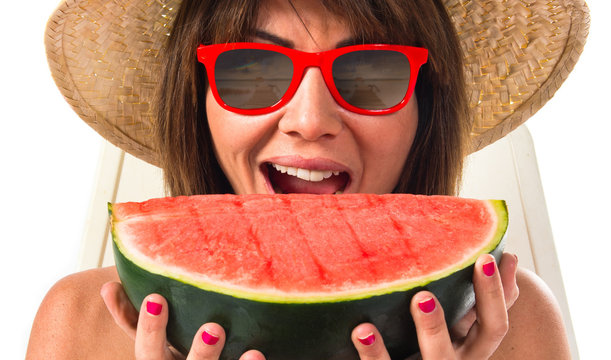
x=306 y=23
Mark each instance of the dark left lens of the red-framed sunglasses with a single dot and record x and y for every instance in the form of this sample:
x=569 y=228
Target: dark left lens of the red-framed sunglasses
x=252 y=78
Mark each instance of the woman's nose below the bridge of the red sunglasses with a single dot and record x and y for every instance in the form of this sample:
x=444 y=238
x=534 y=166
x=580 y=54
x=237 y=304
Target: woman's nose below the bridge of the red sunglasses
x=312 y=113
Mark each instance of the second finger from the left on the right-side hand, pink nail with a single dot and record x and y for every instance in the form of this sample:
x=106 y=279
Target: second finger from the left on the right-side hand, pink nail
x=433 y=335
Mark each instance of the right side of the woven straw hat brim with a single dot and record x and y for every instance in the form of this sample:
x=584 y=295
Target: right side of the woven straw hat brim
x=517 y=54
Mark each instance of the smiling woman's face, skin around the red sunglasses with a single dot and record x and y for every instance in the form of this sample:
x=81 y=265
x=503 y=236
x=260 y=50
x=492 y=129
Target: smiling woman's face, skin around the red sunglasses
x=311 y=137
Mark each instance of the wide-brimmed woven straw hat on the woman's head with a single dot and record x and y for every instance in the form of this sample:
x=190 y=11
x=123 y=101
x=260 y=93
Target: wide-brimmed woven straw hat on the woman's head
x=104 y=57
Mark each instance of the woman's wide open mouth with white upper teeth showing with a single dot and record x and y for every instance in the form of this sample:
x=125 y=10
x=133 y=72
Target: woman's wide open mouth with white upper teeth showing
x=287 y=180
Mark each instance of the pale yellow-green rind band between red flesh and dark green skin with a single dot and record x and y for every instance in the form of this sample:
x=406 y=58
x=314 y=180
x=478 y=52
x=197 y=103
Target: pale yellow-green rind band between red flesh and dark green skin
x=498 y=206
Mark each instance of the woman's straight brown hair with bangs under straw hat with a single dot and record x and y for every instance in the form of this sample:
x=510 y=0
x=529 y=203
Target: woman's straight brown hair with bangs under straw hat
x=434 y=164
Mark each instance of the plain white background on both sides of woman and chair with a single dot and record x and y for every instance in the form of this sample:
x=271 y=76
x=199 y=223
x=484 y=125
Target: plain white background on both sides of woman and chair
x=48 y=158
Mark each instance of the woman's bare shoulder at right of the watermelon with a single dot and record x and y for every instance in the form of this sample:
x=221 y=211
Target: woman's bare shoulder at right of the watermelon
x=536 y=328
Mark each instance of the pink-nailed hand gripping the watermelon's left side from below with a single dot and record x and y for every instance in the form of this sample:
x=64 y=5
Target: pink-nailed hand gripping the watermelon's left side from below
x=147 y=328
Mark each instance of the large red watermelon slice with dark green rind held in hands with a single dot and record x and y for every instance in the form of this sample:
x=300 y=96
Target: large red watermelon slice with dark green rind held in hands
x=291 y=275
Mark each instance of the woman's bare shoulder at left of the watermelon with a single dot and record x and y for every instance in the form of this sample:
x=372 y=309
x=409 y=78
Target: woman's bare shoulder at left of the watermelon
x=73 y=323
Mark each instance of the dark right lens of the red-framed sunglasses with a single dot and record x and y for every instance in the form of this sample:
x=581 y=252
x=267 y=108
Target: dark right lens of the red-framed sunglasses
x=372 y=79
